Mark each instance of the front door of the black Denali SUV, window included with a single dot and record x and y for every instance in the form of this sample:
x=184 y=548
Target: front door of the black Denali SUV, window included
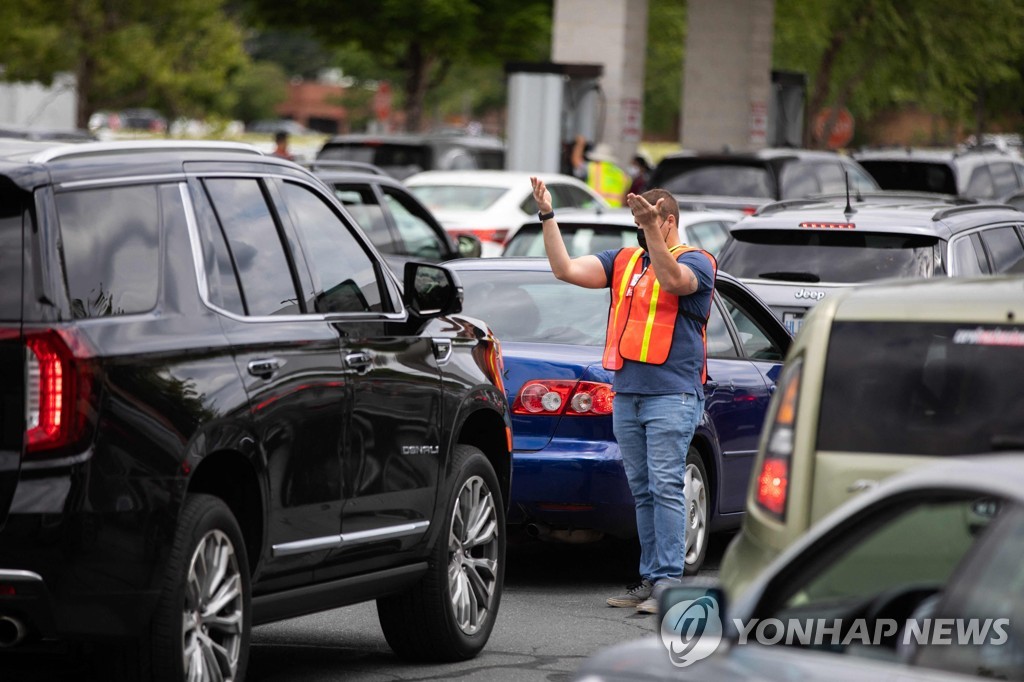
x=392 y=456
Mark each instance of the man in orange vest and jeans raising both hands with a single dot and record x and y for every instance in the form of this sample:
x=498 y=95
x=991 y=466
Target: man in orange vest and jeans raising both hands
x=661 y=301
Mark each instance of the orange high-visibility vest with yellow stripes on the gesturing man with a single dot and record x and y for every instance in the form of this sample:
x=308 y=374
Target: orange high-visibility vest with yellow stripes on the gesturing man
x=642 y=322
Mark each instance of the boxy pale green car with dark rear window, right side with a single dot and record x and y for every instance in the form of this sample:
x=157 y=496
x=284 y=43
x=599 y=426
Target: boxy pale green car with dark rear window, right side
x=881 y=378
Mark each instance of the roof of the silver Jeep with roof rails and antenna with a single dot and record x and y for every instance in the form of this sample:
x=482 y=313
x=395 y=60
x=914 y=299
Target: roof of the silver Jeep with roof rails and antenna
x=913 y=216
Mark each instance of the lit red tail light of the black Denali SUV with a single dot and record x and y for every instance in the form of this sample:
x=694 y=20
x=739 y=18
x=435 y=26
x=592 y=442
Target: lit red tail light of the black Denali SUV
x=57 y=391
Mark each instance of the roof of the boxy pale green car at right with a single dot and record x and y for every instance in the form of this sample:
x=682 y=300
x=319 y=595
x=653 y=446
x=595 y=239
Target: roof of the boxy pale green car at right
x=990 y=300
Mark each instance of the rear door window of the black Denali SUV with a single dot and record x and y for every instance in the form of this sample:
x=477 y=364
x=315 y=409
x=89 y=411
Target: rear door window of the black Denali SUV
x=255 y=246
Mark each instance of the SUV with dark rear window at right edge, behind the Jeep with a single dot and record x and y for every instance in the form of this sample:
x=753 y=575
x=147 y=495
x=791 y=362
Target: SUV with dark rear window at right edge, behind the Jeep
x=980 y=174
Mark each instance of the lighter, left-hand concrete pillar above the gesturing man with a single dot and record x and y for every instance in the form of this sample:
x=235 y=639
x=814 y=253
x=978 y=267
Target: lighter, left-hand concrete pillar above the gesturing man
x=614 y=34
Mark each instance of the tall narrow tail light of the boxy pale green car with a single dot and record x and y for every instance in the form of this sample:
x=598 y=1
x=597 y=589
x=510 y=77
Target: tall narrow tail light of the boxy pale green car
x=774 y=480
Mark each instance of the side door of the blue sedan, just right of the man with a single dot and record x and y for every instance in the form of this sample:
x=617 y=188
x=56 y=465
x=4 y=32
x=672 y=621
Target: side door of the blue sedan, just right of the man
x=746 y=349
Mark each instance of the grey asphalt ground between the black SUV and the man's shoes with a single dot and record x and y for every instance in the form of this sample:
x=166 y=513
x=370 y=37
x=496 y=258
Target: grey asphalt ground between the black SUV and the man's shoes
x=552 y=617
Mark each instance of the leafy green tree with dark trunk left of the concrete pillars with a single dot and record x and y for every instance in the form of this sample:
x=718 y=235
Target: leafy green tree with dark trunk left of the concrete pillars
x=421 y=40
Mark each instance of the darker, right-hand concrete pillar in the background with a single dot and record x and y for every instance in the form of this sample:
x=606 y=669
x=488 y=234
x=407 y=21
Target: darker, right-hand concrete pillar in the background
x=728 y=74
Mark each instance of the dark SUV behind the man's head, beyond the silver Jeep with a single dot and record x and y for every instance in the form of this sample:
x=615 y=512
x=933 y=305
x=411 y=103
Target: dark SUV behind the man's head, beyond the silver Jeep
x=746 y=181
